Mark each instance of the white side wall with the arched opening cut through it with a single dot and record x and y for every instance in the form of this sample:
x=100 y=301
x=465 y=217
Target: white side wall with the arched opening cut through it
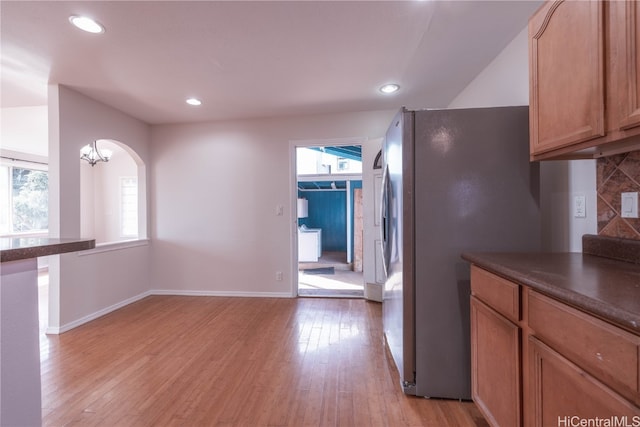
x=83 y=287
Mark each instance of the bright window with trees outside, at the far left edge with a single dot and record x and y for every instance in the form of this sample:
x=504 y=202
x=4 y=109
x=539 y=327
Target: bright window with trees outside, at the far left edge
x=24 y=200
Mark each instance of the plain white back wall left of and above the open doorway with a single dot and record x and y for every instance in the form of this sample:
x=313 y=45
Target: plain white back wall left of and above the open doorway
x=216 y=190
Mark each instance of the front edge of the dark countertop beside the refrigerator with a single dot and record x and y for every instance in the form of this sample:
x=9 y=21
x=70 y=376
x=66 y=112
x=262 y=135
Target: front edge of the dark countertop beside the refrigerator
x=615 y=315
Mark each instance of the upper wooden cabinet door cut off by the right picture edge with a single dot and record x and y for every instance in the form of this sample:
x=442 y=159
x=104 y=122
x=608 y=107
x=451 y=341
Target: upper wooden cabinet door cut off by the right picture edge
x=627 y=92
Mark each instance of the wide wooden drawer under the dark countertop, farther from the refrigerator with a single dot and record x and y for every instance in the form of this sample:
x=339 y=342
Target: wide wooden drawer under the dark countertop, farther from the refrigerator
x=605 y=351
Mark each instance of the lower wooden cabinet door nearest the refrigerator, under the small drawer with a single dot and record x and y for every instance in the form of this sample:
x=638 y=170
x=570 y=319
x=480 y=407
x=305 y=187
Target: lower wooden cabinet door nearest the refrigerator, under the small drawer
x=495 y=366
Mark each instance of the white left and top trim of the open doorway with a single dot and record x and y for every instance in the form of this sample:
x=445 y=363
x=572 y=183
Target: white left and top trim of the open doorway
x=293 y=194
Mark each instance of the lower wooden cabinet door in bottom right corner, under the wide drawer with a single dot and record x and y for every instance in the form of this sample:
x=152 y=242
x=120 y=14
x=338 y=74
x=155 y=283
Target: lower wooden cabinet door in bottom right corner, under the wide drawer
x=564 y=394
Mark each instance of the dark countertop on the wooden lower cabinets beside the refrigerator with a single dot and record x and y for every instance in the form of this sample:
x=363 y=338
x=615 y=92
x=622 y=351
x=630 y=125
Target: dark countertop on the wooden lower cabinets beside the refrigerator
x=606 y=287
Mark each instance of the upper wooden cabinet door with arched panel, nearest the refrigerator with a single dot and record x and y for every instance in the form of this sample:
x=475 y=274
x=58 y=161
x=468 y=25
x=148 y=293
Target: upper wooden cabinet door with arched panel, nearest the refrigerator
x=566 y=49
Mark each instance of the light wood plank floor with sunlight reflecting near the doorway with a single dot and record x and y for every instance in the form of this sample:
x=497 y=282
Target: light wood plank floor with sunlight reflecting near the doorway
x=199 y=361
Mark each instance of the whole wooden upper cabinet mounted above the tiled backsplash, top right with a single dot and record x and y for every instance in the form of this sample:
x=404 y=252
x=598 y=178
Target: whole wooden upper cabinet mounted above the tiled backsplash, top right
x=584 y=79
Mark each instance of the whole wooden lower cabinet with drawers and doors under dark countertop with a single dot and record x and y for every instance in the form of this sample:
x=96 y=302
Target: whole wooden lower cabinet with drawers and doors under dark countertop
x=538 y=362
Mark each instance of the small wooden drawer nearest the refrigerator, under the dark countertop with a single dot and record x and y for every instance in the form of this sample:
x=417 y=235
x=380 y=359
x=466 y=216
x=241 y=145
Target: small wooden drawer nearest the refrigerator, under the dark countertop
x=498 y=293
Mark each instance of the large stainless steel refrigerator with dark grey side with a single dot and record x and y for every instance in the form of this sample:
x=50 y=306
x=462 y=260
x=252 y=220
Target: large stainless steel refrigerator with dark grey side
x=454 y=181
